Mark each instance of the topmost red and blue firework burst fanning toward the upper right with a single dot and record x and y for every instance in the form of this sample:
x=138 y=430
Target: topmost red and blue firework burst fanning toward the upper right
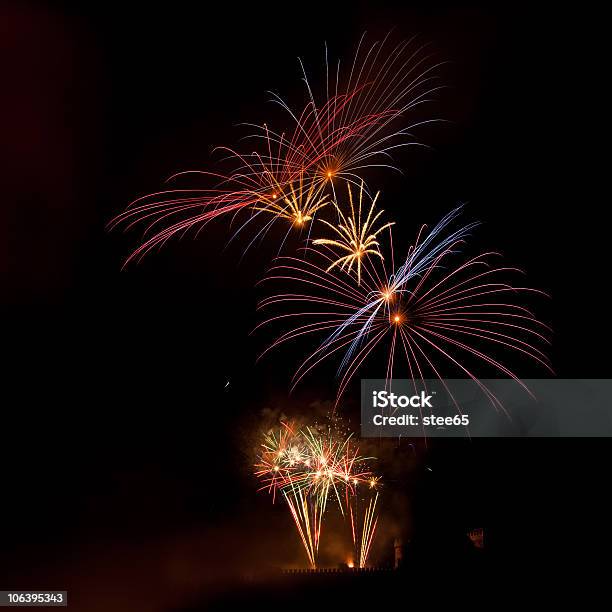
x=363 y=114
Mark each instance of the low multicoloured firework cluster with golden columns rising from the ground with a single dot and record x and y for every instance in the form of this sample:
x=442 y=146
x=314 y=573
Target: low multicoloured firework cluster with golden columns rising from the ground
x=310 y=467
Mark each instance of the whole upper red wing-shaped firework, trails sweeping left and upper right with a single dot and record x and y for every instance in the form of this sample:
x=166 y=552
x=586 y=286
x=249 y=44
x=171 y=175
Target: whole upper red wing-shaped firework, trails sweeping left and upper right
x=361 y=119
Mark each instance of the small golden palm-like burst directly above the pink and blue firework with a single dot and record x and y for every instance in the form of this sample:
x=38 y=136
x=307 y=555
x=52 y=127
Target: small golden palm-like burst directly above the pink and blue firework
x=356 y=235
